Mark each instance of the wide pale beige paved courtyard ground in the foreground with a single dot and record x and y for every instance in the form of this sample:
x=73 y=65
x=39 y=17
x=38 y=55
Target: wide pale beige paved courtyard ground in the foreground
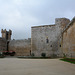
x=15 y=66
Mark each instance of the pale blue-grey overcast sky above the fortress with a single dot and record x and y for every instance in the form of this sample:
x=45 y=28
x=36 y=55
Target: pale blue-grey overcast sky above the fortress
x=21 y=15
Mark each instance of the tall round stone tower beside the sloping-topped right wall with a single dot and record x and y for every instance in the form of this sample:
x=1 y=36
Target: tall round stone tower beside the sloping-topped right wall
x=60 y=25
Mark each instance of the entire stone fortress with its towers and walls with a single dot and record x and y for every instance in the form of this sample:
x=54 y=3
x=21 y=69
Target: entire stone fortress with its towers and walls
x=55 y=40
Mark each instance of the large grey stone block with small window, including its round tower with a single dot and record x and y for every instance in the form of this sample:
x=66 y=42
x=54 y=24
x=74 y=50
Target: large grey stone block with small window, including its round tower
x=47 y=39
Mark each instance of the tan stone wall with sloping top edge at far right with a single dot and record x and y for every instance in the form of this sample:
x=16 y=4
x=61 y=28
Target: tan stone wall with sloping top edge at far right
x=69 y=41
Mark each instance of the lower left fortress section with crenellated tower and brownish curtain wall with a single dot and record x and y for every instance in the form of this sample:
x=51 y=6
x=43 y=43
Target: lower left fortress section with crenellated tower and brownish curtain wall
x=21 y=47
